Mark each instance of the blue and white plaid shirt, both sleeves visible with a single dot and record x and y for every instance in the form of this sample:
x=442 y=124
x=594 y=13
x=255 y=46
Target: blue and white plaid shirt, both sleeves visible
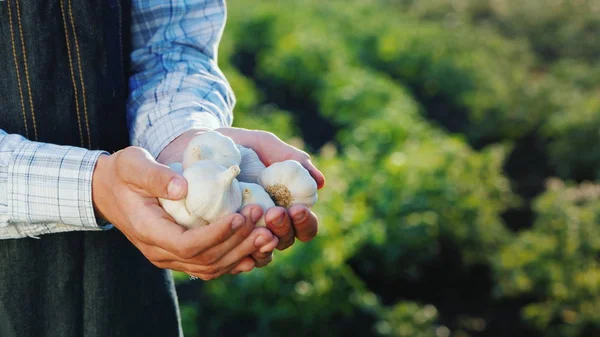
x=176 y=86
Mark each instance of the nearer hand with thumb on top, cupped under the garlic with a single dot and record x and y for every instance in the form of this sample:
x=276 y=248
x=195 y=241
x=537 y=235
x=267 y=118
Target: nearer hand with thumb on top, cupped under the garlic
x=125 y=189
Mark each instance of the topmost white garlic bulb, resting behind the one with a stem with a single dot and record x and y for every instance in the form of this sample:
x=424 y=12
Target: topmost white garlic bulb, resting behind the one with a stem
x=214 y=146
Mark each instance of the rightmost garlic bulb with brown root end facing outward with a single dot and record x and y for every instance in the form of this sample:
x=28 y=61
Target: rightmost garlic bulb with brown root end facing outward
x=289 y=183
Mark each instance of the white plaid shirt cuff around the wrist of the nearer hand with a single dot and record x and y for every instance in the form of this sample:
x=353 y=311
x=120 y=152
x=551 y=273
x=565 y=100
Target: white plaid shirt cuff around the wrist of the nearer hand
x=52 y=183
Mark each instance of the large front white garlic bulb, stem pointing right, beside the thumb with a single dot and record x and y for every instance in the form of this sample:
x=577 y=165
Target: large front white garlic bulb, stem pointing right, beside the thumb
x=213 y=191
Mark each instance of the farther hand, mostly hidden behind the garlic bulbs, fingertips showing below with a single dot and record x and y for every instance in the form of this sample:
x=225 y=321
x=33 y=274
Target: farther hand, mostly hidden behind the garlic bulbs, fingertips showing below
x=297 y=222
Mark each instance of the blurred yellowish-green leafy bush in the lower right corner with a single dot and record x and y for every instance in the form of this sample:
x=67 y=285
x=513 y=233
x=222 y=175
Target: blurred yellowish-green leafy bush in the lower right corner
x=557 y=262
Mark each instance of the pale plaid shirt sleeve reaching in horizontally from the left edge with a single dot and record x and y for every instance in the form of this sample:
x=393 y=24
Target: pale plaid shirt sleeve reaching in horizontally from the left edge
x=44 y=188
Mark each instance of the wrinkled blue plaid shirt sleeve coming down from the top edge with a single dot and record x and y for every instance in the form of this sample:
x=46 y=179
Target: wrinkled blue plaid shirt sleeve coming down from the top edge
x=176 y=84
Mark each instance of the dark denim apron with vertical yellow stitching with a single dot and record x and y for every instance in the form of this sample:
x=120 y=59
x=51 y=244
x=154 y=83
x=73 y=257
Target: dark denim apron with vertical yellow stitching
x=63 y=80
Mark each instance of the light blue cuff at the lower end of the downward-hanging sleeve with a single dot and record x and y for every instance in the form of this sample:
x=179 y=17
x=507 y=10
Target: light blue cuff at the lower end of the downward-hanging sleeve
x=159 y=134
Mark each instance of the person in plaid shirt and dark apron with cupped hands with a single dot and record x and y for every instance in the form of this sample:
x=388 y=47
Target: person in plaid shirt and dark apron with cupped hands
x=80 y=78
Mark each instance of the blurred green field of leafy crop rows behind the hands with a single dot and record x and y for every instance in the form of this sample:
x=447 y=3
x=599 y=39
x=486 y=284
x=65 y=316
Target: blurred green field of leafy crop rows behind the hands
x=461 y=144
